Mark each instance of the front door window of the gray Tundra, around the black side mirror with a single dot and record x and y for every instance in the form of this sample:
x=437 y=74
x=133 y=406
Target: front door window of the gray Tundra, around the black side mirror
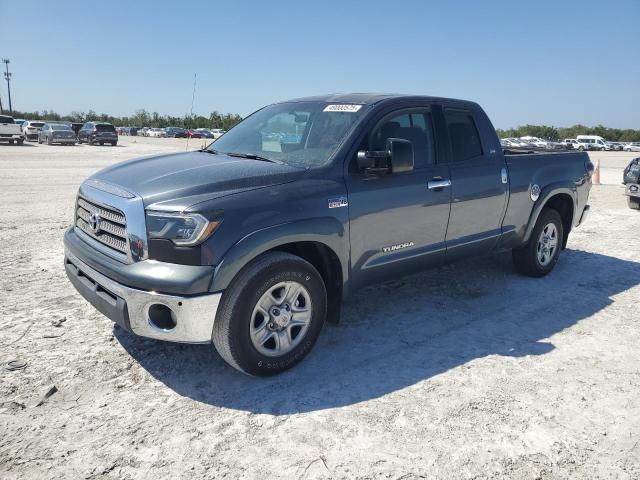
x=415 y=126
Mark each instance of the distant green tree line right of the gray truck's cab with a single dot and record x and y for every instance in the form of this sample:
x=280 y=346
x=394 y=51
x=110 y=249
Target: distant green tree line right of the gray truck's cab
x=559 y=133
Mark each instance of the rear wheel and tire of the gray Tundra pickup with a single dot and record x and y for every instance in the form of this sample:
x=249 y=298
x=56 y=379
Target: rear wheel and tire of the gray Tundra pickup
x=531 y=260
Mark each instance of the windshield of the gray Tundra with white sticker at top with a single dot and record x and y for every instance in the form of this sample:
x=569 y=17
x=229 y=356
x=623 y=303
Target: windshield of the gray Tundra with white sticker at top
x=304 y=134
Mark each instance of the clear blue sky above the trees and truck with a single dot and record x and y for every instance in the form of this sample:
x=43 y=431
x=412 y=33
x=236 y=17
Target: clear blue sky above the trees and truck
x=546 y=62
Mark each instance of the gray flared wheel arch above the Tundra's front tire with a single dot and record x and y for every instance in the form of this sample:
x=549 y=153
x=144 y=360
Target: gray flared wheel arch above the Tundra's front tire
x=326 y=230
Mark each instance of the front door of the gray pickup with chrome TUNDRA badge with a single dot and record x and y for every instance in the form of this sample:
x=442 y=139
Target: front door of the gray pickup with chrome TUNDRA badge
x=397 y=222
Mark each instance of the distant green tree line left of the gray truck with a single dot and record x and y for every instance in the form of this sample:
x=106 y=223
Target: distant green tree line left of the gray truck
x=141 y=118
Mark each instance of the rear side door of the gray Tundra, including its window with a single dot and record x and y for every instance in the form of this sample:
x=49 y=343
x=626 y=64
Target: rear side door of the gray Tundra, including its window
x=478 y=186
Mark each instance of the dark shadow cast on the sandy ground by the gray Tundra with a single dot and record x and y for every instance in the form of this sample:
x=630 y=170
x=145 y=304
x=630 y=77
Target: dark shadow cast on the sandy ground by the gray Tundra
x=402 y=332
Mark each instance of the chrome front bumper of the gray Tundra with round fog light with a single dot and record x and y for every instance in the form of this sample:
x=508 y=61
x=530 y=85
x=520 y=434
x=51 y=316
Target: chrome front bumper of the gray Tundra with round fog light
x=129 y=307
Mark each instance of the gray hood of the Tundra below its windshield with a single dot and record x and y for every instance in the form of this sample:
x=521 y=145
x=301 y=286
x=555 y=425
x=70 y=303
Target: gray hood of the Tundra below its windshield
x=176 y=181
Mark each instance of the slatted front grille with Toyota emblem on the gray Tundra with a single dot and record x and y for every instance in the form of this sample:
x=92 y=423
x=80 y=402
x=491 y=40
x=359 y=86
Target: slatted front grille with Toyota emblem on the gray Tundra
x=112 y=230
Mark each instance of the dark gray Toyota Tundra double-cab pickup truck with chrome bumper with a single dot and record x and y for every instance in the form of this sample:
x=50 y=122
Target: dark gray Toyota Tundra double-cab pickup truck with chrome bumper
x=253 y=242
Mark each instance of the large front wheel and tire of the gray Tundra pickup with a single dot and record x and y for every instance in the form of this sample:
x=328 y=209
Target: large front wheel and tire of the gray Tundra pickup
x=239 y=315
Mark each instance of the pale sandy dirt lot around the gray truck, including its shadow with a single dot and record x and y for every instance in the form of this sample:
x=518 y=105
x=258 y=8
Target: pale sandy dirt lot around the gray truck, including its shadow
x=468 y=371
